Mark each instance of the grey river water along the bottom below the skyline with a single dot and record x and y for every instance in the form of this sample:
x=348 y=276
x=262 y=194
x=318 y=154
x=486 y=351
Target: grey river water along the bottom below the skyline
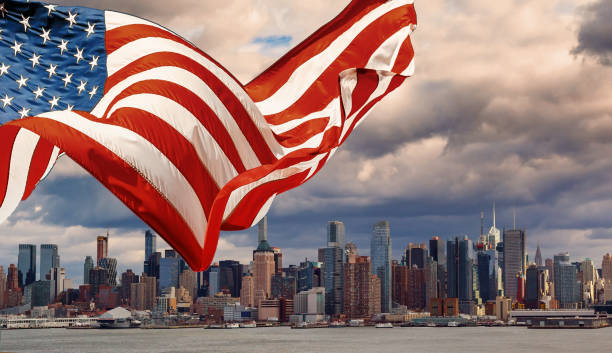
x=284 y=339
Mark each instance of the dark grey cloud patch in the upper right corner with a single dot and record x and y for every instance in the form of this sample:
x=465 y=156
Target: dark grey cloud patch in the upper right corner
x=595 y=34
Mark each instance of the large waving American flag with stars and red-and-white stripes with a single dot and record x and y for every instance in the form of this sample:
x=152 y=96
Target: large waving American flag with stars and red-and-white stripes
x=170 y=132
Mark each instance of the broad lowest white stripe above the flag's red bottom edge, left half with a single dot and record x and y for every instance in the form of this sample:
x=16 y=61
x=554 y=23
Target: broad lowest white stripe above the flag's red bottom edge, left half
x=148 y=161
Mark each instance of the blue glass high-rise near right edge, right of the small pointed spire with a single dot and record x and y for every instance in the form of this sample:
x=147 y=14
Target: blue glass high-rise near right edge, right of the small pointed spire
x=567 y=288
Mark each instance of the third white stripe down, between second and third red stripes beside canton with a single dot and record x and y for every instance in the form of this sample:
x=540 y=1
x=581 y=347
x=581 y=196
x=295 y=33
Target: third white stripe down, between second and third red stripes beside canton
x=193 y=83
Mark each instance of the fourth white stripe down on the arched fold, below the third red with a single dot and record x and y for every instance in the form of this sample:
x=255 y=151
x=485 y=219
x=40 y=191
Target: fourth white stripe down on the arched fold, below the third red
x=185 y=123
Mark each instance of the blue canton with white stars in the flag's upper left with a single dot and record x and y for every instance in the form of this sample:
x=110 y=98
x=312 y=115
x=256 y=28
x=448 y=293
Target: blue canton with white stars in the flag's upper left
x=51 y=58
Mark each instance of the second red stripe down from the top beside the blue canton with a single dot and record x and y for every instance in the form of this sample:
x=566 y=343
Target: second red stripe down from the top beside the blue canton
x=229 y=99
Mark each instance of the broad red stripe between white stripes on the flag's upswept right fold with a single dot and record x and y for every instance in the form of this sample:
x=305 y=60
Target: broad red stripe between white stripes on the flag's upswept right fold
x=356 y=55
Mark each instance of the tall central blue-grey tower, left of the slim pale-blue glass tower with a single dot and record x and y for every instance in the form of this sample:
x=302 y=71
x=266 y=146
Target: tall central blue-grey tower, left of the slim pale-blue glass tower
x=334 y=268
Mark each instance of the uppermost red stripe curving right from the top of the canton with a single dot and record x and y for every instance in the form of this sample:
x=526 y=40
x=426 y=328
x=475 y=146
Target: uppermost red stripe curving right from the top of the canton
x=118 y=37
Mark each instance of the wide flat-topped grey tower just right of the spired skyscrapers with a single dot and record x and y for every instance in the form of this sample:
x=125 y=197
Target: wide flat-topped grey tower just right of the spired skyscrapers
x=514 y=259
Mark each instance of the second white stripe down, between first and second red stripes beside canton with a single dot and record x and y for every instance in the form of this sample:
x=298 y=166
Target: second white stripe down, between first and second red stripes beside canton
x=147 y=46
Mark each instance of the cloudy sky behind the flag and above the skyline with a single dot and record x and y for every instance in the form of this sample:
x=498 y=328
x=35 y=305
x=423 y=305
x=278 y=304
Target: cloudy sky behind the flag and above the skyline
x=510 y=104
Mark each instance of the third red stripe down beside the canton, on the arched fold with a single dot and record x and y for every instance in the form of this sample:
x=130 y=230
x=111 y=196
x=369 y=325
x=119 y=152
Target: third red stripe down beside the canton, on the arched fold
x=195 y=106
